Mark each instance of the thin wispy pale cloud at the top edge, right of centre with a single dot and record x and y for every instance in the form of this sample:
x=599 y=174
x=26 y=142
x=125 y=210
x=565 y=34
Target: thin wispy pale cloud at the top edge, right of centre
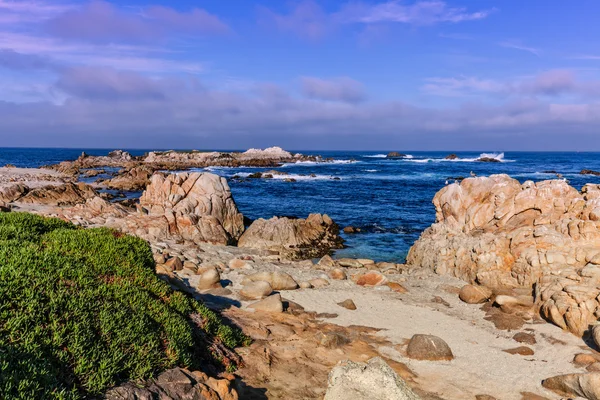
x=418 y=13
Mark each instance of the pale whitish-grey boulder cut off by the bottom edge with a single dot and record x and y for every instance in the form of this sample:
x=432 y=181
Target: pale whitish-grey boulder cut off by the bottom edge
x=374 y=380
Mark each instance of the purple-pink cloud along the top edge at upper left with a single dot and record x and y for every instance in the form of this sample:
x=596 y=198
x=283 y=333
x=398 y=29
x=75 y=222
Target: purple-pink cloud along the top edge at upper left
x=101 y=21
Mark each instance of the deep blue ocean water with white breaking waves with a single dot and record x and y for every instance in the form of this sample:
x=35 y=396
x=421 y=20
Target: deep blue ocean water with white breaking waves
x=389 y=199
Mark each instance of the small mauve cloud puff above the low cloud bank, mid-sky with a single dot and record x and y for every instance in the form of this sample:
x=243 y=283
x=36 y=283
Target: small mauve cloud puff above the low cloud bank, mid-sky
x=337 y=89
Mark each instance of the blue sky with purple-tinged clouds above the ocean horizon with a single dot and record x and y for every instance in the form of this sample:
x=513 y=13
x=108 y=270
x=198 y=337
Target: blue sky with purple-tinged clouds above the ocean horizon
x=306 y=74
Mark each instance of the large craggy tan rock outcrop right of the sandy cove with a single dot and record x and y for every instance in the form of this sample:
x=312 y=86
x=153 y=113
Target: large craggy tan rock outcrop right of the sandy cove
x=497 y=232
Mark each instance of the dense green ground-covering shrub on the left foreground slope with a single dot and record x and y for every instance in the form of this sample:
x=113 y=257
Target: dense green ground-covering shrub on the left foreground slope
x=82 y=310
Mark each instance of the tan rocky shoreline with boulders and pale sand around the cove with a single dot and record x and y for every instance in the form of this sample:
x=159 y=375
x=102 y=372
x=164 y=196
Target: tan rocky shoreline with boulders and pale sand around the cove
x=502 y=260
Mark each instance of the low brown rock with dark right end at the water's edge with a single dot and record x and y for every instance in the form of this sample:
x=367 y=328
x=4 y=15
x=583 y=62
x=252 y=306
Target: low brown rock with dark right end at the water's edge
x=295 y=239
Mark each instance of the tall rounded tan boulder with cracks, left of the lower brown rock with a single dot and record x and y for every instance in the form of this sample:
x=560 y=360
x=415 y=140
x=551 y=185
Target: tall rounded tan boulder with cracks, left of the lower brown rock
x=198 y=207
